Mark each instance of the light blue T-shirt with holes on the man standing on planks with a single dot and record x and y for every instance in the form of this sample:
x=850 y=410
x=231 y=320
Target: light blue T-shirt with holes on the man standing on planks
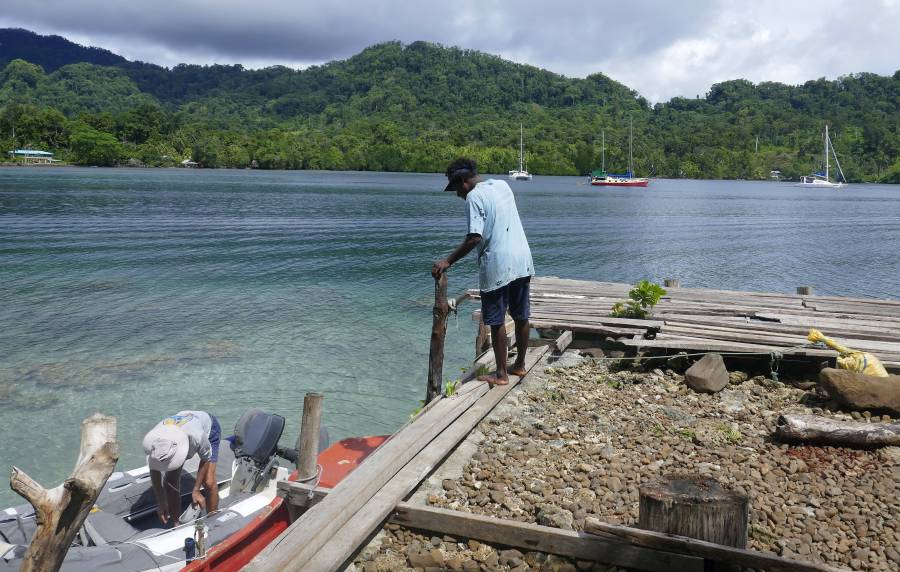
x=503 y=253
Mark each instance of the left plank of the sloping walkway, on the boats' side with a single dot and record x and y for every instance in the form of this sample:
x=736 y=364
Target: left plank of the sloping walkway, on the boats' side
x=305 y=536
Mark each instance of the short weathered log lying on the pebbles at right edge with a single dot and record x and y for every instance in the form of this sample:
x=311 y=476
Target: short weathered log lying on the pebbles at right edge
x=824 y=431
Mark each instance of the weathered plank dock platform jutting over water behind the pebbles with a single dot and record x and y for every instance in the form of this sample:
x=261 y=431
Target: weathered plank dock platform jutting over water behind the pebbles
x=700 y=320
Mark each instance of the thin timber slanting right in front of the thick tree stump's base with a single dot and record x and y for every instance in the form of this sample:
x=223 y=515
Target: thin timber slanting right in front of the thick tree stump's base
x=703 y=549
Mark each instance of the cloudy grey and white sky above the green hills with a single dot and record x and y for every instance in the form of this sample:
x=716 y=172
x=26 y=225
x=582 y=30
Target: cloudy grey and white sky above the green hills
x=661 y=48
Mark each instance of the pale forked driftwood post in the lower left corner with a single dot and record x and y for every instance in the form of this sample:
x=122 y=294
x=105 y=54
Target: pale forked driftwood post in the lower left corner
x=61 y=511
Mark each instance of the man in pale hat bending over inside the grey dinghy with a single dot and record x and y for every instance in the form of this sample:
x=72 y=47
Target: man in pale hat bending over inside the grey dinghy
x=174 y=440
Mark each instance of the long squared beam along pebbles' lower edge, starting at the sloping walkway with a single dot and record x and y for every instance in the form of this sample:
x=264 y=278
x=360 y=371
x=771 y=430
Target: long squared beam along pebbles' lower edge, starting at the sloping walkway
x=527 y=536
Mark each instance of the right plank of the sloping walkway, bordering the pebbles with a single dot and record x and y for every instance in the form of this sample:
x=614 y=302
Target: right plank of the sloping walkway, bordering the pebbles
x=341 y=545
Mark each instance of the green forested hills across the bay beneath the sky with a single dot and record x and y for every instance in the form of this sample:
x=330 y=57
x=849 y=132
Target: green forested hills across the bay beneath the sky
x=414 y=107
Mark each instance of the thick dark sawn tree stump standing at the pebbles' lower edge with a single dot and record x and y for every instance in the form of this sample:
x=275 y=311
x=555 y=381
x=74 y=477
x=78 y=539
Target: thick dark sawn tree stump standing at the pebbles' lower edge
x=695 y=507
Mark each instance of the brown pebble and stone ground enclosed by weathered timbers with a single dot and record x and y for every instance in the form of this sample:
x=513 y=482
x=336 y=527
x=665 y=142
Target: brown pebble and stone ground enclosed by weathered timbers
x=577 y=439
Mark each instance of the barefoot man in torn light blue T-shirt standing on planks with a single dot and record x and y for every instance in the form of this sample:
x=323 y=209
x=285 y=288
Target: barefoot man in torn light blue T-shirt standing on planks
x=504 y=260
